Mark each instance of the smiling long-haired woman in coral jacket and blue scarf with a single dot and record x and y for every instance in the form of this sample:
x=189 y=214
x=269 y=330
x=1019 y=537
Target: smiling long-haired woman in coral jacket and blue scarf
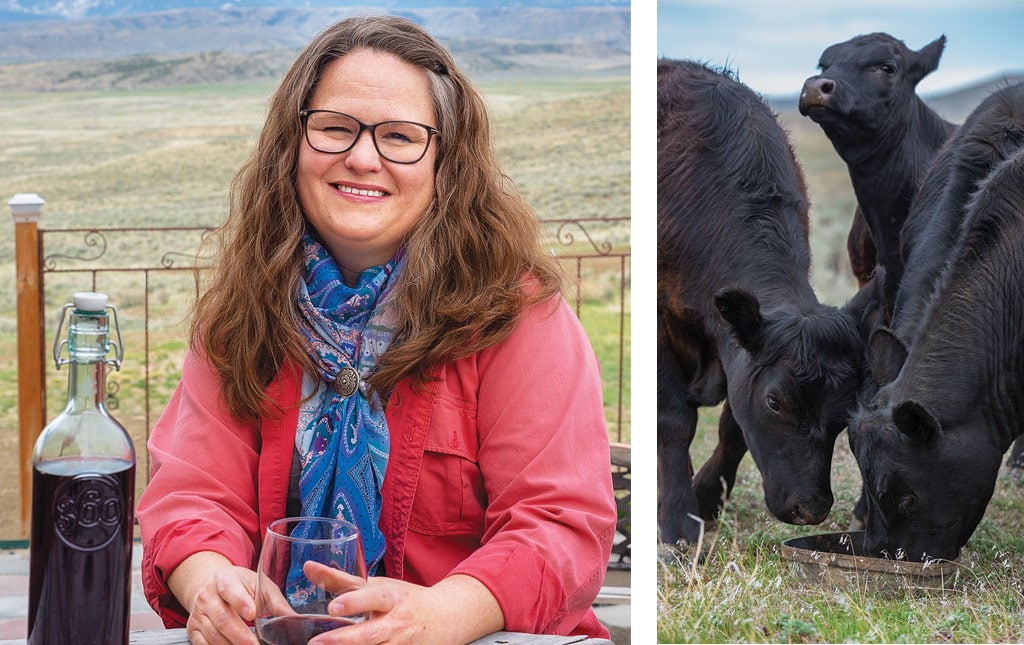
x=381 y=300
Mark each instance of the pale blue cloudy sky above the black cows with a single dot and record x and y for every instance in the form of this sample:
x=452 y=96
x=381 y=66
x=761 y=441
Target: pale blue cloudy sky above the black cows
x=775 y=46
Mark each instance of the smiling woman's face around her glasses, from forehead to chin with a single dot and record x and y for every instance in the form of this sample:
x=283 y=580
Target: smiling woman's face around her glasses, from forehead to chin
x=362 y=205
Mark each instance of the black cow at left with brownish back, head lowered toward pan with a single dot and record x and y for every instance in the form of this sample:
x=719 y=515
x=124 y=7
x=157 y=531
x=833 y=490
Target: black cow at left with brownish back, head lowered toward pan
x=738 y=319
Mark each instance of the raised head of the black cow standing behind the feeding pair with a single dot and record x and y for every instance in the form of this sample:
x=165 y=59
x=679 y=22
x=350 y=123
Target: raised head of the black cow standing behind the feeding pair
x=866 y=83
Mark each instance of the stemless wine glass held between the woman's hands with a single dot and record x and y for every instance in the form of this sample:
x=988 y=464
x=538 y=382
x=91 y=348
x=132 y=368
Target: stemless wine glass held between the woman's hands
x=291 y=608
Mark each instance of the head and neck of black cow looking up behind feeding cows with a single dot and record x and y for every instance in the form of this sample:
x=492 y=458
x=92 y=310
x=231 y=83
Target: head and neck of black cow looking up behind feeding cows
x=866 y=102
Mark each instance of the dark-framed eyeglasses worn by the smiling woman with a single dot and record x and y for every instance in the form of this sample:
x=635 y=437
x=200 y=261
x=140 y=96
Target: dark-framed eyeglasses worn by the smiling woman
x=334 y=133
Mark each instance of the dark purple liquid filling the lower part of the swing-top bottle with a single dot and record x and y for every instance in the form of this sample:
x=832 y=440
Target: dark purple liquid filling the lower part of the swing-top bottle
x=82 y=526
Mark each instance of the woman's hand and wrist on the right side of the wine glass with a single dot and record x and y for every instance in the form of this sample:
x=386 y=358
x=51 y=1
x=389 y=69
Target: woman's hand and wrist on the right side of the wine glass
x=458 y=610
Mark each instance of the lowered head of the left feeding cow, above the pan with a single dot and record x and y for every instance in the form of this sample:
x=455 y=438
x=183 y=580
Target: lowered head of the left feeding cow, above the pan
x=793 y=378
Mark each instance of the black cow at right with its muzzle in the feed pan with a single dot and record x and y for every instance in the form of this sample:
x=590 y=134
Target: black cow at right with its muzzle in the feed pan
x=952 y=371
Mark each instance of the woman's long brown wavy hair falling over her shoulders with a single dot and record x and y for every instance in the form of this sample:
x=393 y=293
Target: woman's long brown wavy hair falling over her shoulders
x=468 y=260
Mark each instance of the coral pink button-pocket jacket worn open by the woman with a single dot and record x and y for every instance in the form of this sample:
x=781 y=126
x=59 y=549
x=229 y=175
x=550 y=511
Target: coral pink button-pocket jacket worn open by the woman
x=499 y=469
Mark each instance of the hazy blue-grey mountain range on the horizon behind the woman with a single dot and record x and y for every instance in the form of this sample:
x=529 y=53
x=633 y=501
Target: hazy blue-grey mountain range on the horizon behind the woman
x=605 y=31
